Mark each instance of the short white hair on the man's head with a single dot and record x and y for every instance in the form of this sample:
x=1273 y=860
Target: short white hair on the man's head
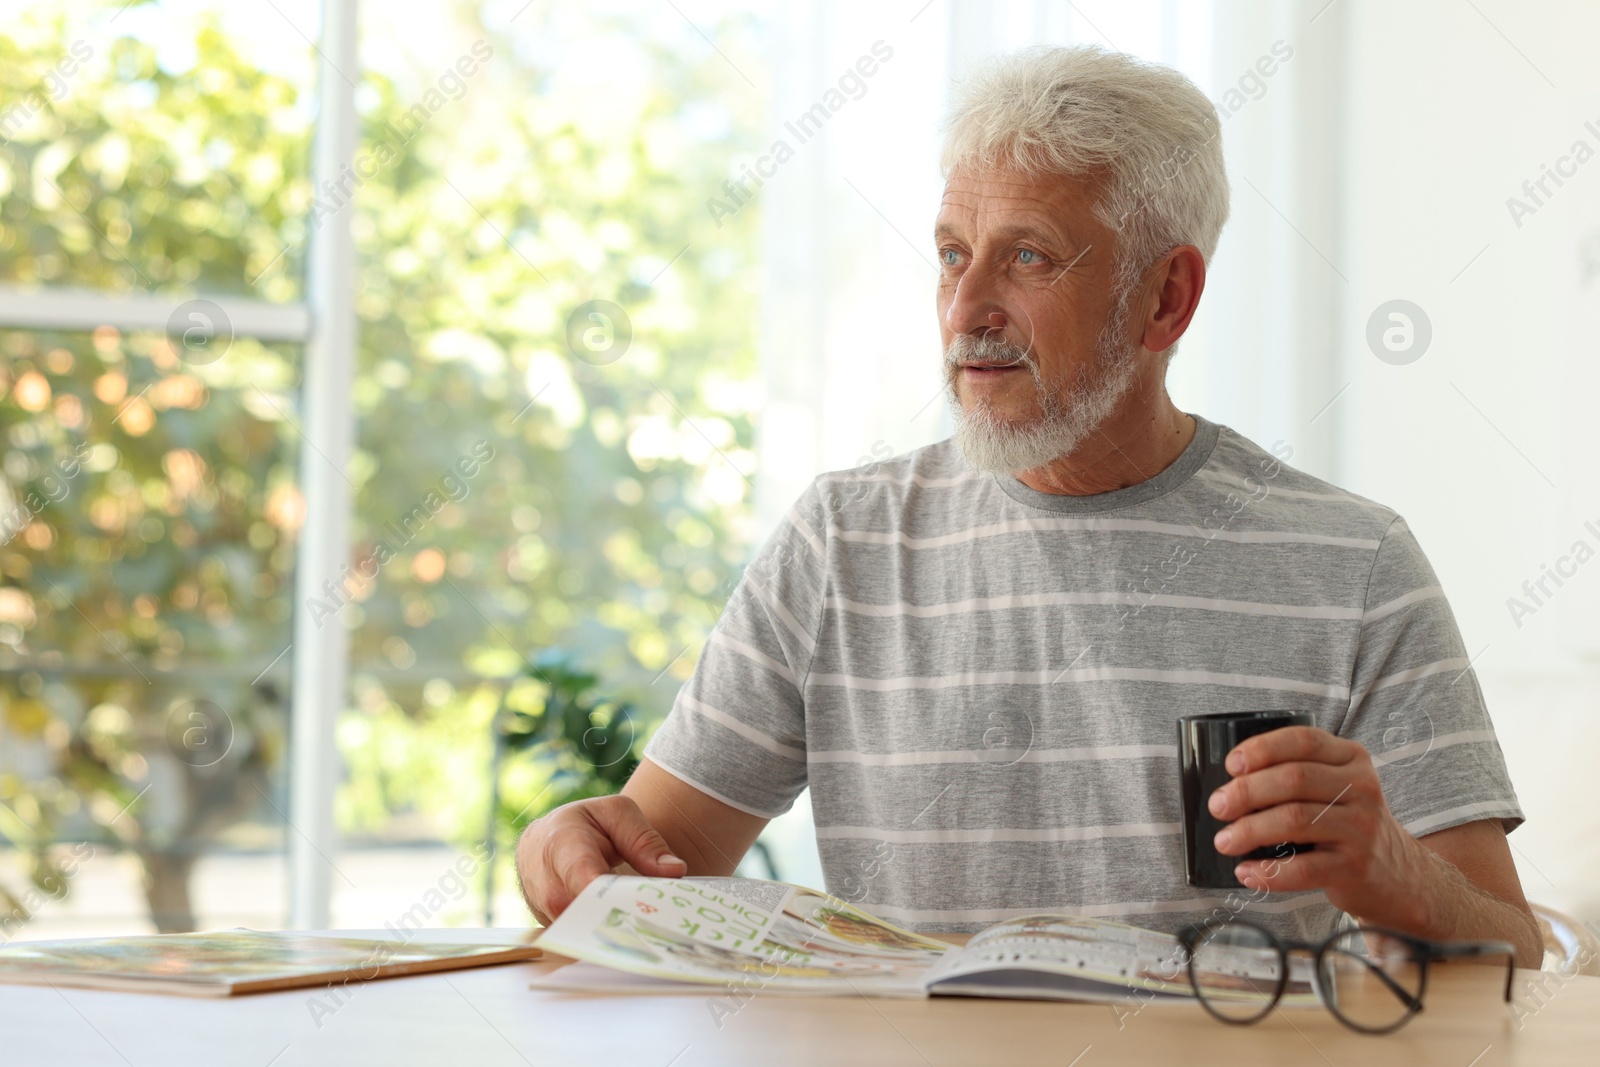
x=1089 y=113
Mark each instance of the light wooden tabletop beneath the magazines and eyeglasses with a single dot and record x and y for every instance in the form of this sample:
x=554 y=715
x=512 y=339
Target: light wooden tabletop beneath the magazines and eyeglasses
x=489 y=1018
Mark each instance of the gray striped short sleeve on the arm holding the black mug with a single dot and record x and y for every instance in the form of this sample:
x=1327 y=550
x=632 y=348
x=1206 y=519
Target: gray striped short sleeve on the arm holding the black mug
x=1415 y=701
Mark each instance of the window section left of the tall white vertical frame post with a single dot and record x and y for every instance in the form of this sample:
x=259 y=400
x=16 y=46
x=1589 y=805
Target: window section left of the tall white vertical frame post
x=150 y=481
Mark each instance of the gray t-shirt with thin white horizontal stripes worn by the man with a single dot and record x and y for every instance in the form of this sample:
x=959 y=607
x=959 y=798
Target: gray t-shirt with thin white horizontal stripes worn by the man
x=980 y=682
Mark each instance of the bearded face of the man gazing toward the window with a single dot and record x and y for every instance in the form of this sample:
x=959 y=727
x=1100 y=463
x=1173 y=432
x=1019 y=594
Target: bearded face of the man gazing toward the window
x=1036 y=351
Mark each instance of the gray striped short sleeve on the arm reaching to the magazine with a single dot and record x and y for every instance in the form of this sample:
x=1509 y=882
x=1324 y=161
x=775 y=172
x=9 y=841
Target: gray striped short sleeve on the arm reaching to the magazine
x=737 y=730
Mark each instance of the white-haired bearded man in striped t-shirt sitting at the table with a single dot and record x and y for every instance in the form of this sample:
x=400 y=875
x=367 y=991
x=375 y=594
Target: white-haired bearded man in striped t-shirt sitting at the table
x=975 y=655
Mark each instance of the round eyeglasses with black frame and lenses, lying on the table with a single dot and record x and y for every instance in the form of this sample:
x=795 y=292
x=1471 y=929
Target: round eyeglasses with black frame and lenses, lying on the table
x=1372 y=980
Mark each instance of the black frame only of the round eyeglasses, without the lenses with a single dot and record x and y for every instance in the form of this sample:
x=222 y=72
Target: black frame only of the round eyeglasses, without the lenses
x=1425 y=953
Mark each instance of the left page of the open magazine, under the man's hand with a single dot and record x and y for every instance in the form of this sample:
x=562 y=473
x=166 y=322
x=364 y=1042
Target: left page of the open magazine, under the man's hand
x=740 y=932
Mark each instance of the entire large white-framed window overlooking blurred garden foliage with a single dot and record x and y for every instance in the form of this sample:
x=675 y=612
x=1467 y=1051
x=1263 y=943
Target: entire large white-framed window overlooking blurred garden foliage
x=553 y=450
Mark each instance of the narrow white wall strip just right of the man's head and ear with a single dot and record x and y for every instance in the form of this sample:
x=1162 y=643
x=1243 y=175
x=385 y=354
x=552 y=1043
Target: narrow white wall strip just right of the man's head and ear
x=1260 y=356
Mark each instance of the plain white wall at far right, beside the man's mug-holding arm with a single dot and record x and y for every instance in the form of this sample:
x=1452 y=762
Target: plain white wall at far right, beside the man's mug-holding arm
x=1487 y=442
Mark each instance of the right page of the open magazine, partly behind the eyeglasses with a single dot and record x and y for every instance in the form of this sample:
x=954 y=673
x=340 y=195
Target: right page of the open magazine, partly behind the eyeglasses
x=1089 y=959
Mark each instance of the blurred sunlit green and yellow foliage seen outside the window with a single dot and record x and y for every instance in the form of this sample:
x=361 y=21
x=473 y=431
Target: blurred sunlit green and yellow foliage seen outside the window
x=606 y=508
